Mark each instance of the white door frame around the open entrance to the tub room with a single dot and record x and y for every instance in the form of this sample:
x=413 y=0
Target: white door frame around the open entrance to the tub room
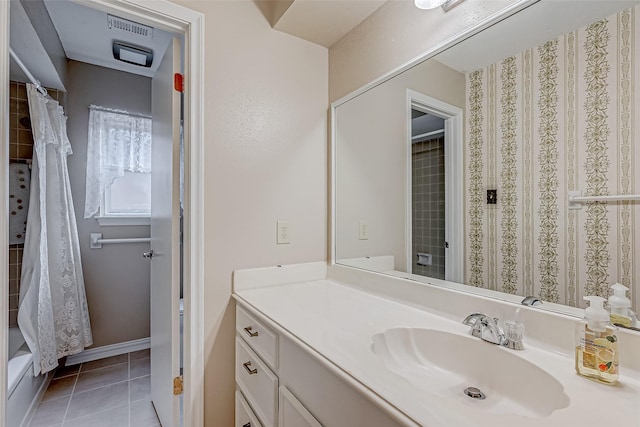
x=188 y=23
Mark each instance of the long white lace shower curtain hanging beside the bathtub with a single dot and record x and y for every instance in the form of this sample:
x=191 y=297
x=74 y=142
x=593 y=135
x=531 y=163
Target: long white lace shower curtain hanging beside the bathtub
x=53 y=314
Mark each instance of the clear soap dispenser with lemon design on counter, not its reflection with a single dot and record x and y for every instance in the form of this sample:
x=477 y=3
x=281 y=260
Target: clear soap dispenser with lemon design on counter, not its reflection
x=597 y=344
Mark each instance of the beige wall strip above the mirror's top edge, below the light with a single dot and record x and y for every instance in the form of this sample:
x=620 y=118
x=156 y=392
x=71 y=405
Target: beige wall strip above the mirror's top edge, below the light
x=395 y=34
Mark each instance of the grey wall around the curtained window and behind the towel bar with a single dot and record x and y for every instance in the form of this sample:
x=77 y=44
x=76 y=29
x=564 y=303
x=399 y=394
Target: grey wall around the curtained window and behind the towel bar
x=116 y=276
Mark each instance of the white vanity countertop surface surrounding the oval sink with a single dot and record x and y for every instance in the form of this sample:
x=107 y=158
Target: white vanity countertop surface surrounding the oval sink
x=339 y=320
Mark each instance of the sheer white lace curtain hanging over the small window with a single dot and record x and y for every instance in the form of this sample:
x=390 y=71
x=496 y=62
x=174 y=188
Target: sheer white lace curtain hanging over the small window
x=118 y=142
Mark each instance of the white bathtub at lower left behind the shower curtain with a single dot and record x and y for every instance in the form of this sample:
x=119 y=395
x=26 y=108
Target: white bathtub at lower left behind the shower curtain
x=24 y=391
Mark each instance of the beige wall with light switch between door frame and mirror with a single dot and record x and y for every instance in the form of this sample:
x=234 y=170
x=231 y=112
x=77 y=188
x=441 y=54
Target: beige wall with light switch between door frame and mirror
x=265 y=156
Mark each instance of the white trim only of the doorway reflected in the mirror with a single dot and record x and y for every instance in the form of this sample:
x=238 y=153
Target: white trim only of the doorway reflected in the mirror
x=454 y=181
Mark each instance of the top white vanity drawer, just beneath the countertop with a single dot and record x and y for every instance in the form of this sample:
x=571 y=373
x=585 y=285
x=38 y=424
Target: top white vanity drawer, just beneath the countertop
x=259 y=337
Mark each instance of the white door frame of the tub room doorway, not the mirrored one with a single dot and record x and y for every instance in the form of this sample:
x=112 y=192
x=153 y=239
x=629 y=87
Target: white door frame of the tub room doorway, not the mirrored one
x=189 y=23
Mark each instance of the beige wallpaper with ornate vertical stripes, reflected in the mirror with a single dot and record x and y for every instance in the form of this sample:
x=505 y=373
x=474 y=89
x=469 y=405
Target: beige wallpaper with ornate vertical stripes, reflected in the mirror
x=556 y=118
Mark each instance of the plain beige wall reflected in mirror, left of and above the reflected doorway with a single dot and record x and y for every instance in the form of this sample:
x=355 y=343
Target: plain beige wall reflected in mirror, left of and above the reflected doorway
x=372 y=160
